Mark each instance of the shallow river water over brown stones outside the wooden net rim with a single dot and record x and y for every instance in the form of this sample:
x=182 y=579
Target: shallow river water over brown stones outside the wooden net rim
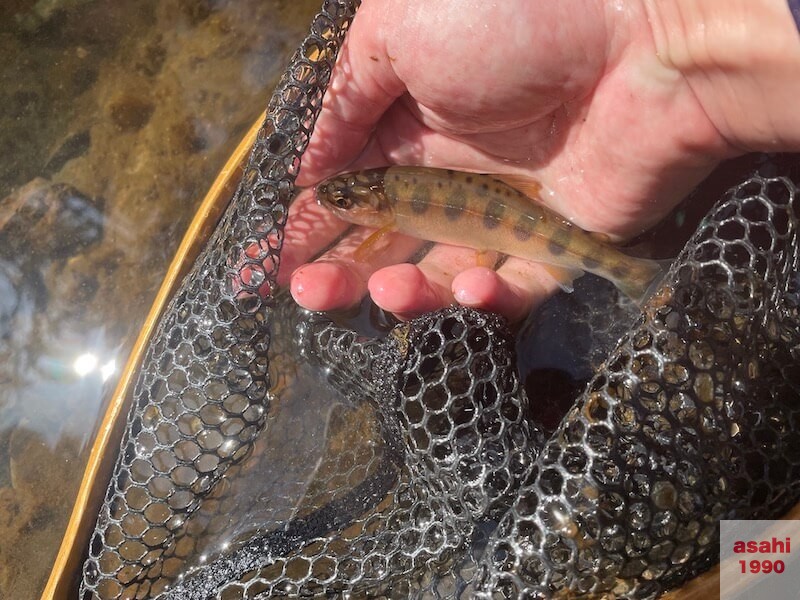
x=115 y=116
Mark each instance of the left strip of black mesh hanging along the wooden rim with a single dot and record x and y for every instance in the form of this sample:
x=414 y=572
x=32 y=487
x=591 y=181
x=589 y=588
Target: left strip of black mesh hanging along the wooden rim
x=202 y=395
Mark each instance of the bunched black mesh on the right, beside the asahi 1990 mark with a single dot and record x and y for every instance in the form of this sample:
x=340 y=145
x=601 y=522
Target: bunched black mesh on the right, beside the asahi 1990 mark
x=693 y=418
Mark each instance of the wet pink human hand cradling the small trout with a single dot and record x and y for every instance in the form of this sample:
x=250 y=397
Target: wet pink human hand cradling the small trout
x=572 y=94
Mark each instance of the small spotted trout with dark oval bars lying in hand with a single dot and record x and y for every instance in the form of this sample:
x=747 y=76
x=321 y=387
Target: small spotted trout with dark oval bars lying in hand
x=480 y=212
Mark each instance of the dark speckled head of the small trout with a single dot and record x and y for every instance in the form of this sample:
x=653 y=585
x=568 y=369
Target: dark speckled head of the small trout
x=356 y=198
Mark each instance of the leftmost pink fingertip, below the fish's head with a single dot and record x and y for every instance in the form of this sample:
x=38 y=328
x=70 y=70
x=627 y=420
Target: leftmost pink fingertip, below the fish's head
x=325 y=286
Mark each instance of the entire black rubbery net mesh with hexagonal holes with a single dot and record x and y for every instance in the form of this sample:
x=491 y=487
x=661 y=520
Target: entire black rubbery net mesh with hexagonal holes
x=433 y=479
